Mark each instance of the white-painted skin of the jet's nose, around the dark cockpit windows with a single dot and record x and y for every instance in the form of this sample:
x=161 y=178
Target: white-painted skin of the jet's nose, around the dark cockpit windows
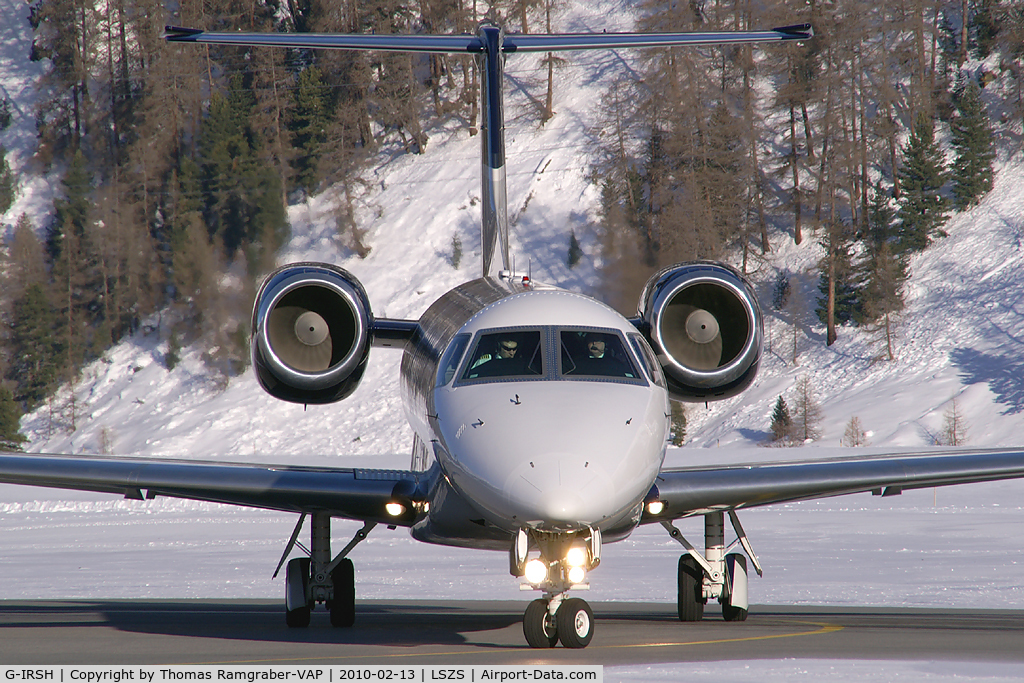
x=558 y=453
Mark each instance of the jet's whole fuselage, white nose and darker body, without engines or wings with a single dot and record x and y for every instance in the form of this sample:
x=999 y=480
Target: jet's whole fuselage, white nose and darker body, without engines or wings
x=544 y=410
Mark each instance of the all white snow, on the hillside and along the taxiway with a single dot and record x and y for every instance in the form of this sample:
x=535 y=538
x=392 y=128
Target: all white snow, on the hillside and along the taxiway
x=961 y=337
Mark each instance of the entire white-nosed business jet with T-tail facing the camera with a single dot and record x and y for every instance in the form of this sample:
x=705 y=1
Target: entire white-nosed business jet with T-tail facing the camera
x=541 y=416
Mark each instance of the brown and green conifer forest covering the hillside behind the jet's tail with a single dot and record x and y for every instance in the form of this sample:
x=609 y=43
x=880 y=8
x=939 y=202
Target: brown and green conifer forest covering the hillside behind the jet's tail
x=179 y=162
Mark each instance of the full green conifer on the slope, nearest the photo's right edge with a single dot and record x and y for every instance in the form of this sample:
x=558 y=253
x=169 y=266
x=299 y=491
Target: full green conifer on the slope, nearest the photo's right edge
x=972 y=139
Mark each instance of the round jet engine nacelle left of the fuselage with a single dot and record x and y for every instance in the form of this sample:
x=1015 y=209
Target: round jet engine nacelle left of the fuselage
x=312 y=333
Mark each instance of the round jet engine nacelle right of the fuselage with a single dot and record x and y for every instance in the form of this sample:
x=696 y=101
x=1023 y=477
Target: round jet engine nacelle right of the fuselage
x=705 y=324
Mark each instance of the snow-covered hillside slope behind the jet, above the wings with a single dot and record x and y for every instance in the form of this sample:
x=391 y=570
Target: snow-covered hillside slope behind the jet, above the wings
x=960 y=337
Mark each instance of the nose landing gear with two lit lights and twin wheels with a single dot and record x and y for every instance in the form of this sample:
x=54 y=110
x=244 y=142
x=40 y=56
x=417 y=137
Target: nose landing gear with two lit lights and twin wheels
x=564 y=564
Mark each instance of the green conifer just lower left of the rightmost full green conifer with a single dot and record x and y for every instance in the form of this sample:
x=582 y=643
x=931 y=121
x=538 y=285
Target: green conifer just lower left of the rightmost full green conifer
x=923 y=209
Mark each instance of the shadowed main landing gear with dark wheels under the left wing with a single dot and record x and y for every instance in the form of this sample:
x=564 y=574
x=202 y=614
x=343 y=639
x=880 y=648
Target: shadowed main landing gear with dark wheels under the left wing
x=318 y=579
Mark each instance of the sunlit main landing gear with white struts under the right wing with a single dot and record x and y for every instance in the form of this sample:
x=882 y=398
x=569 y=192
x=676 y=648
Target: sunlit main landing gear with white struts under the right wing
x=720 y=575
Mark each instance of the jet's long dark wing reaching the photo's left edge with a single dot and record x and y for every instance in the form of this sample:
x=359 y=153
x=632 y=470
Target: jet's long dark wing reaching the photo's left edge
x=352 y=493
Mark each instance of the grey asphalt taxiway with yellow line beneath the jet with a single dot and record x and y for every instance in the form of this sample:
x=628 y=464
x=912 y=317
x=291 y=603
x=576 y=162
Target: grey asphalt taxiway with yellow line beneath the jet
x=486 y=633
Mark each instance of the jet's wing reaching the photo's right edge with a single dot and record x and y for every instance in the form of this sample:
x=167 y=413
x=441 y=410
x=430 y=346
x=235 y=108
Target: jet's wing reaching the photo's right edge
x=691 y=491
